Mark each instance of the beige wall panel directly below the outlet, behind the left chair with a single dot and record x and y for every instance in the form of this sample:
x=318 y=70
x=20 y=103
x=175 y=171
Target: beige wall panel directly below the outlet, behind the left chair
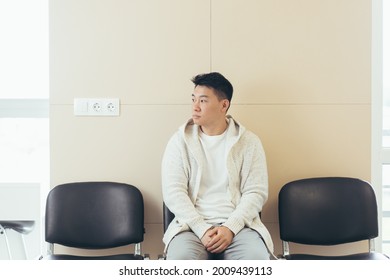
x=127 y=149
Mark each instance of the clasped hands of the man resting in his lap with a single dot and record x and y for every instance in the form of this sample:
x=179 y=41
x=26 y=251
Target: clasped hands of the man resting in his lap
x=217 y=239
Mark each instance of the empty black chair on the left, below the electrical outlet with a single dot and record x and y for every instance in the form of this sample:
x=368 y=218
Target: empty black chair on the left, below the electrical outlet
x=95 y=215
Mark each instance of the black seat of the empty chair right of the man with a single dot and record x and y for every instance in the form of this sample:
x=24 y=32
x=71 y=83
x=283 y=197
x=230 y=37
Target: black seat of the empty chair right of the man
x=360 y=256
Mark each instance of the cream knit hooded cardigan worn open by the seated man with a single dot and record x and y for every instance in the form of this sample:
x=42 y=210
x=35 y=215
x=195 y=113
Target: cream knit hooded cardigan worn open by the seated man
x=182 y=166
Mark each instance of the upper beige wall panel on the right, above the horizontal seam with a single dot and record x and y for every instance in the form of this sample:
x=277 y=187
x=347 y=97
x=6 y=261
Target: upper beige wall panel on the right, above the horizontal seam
x=287 y=51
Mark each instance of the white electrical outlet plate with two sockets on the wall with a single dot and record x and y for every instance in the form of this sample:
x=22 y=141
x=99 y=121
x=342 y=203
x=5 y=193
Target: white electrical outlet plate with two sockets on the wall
x=96 y=106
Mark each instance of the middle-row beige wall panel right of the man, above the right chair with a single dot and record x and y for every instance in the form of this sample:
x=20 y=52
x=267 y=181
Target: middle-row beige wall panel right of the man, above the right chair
x=309 y=141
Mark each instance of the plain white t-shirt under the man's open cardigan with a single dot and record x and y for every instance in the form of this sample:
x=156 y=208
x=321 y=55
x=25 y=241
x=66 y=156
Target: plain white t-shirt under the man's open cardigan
x=214 y=201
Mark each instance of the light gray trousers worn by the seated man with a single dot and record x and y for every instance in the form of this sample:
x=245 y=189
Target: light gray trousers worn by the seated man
x=246 y=245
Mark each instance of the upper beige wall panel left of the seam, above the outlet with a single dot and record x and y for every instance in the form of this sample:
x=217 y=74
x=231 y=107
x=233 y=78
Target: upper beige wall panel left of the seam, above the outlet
x=143 y=52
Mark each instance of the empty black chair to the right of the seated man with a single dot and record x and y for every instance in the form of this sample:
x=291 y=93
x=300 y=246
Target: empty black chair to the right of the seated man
x=328 y=211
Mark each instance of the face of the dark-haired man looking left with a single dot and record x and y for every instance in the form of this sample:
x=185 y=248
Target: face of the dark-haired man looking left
x=207 y=109
